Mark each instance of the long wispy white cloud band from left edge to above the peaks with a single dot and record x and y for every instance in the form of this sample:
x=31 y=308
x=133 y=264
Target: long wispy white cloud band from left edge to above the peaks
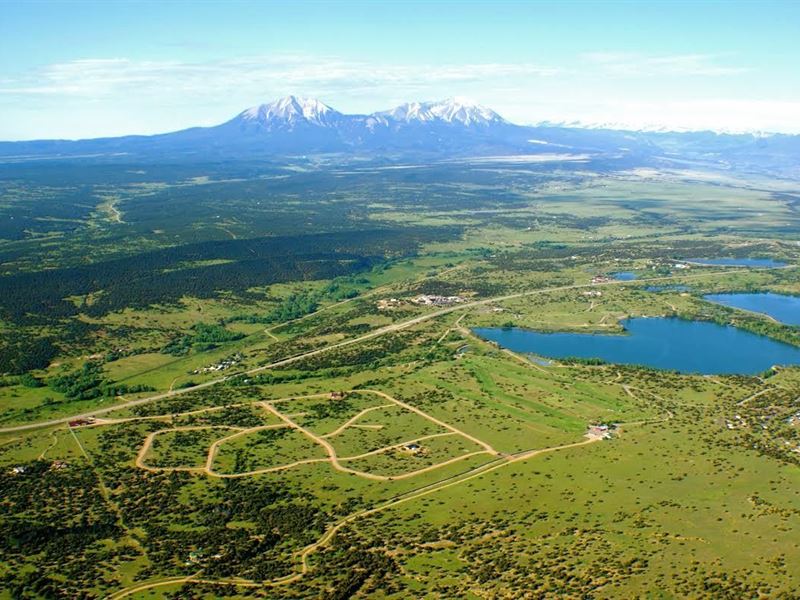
x=99 y=78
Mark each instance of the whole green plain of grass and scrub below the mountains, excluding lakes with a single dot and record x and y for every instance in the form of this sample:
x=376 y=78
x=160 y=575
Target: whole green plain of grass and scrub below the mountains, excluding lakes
x=324 y=433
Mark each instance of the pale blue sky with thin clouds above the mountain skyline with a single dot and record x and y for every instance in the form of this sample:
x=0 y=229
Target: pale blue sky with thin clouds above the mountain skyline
x=84 y=69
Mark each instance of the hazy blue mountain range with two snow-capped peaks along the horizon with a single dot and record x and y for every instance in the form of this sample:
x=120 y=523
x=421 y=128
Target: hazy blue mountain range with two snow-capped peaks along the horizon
x=293 y=126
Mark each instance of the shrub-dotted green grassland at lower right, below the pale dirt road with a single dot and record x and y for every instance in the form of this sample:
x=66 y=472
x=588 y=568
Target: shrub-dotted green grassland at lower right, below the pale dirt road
x=668 y=501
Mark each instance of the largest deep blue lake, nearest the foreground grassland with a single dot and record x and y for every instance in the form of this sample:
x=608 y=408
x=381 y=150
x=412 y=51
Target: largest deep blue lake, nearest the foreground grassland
x=662 y=343
